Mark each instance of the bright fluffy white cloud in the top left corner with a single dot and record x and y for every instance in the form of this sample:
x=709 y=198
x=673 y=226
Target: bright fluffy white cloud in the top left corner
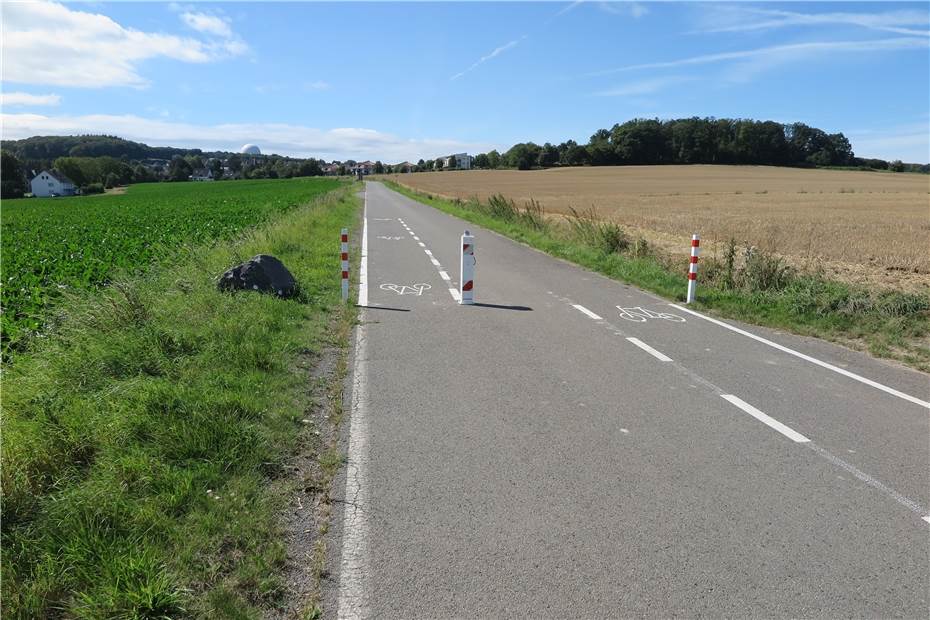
x=49 y=43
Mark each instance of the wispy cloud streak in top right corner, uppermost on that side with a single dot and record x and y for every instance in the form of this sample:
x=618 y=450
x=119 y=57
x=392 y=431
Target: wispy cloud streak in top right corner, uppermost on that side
x=743 y=19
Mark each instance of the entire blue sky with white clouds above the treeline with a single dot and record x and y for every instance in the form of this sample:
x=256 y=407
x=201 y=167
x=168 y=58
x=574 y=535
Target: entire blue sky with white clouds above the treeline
x=396 y=81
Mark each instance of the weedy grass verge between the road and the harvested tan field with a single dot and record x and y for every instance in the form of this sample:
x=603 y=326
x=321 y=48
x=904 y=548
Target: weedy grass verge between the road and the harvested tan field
x=753 y=287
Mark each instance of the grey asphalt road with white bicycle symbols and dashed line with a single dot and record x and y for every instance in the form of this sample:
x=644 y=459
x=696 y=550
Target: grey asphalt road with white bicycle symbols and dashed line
x=524 y=457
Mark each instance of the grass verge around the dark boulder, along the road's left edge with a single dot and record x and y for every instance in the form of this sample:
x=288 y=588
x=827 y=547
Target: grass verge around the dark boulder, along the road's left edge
x=143 y=442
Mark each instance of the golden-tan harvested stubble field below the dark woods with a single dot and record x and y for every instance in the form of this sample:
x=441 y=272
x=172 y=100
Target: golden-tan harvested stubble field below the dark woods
x=864 y=227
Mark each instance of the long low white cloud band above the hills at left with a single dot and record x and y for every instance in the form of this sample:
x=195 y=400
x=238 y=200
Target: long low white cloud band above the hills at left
x=284 y=139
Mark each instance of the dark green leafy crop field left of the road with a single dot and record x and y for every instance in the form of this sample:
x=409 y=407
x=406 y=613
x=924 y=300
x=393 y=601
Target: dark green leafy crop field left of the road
x=53 y=244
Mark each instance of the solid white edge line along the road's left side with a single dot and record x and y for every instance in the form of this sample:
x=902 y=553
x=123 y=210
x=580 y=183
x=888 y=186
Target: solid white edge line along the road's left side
x=353 y=572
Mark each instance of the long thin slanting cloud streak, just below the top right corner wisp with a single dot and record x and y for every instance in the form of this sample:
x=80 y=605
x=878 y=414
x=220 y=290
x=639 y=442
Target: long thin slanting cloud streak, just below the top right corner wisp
x=793 y=51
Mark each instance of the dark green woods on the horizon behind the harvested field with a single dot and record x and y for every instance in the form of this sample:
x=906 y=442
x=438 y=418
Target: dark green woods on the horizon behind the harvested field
x=694 y=141
